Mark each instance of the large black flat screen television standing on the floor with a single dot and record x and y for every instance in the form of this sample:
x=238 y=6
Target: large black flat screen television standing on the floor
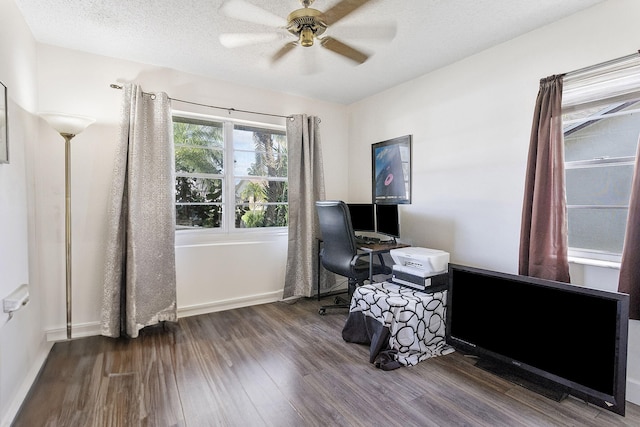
x=559 y=337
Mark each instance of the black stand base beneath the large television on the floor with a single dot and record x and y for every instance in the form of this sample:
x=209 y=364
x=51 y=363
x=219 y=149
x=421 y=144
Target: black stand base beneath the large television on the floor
x=537 y=384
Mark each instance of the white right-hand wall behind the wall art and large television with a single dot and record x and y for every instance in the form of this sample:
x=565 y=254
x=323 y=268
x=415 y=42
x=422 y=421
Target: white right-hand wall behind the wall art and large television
x=471 y=123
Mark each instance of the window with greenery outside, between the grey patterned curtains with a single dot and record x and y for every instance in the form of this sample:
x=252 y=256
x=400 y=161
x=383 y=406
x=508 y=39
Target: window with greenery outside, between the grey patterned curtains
x=212 y=194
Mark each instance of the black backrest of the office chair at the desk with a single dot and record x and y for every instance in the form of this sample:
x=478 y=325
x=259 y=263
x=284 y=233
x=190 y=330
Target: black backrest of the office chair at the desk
x=339 y=243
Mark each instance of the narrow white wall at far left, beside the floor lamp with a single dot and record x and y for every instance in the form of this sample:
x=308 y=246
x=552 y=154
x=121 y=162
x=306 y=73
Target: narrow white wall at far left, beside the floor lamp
x=22 y=344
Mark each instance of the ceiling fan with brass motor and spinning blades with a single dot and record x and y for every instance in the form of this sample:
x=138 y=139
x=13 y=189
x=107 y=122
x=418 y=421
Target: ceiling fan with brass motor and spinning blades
x=307 y=25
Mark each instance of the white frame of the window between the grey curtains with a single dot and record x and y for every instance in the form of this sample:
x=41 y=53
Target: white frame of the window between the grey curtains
x=228 y=178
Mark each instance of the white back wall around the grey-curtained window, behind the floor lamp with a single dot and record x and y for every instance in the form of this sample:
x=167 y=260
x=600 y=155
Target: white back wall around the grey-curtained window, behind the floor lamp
x=213 y=272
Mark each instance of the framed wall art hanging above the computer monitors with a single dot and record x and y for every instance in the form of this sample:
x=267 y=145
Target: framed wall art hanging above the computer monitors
x=391 y=167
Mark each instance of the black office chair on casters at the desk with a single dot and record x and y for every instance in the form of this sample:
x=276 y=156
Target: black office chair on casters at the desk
x=339 y=252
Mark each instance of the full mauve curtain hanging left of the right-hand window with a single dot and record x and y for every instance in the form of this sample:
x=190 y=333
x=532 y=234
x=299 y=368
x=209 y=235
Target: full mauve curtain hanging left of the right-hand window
x=543 y=235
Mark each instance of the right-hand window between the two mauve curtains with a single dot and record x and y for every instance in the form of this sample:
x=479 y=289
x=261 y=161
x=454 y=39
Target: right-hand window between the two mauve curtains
x=601 y=123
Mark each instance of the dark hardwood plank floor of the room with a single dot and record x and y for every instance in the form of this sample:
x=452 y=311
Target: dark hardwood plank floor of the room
x=279 y=365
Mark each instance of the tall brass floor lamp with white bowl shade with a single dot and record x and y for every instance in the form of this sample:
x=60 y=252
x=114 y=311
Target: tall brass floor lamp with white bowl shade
x=67 y=126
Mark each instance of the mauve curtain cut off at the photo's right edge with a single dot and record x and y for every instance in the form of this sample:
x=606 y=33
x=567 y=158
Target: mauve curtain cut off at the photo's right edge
x=629 y=282
